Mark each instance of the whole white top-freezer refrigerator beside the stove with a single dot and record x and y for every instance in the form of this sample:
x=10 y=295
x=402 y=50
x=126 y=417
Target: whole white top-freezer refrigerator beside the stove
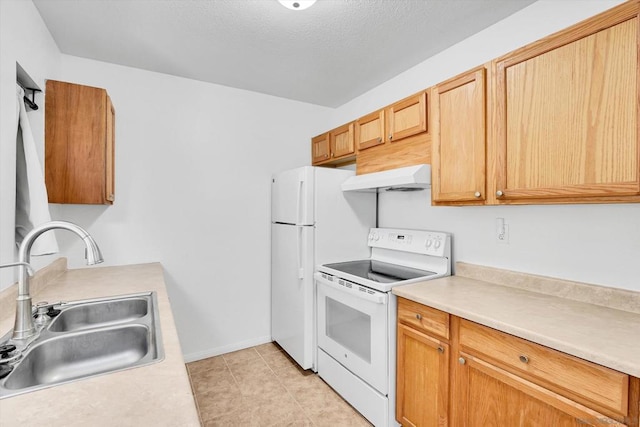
x=312 y=222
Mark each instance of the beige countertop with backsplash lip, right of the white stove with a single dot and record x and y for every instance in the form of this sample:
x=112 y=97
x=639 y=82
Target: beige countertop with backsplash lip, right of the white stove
x=595 y=323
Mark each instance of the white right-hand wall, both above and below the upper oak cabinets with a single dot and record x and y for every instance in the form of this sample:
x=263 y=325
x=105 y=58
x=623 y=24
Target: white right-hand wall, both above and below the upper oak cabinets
x=589 y=243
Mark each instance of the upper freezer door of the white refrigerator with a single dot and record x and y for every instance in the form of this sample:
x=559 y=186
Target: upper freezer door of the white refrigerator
x=292 y=196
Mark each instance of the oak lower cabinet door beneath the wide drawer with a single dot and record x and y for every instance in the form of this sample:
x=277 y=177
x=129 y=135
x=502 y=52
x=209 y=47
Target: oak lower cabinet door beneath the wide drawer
x=486 y=396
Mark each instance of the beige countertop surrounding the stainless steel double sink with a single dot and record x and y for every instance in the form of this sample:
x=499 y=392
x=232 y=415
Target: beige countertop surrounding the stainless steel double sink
x=158 y=394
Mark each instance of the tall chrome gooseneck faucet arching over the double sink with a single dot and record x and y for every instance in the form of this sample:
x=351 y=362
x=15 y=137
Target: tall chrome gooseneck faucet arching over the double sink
x=24 y=327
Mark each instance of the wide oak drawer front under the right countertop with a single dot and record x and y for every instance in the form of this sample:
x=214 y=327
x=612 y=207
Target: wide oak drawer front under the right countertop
x=563 y=373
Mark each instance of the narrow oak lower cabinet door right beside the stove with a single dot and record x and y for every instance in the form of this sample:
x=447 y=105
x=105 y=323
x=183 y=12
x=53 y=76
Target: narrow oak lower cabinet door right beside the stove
x=422 y=379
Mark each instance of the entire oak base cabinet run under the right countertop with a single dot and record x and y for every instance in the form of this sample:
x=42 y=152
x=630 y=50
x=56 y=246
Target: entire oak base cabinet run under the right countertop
x=455 y=372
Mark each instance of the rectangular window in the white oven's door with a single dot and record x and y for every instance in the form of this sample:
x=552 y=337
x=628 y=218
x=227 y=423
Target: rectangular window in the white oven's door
x=349 y=327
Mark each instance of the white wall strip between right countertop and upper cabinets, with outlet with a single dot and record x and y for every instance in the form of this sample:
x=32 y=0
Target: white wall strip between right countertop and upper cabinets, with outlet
x=597 y=244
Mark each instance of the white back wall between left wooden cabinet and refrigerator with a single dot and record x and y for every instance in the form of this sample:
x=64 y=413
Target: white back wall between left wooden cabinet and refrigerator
x=193 y=168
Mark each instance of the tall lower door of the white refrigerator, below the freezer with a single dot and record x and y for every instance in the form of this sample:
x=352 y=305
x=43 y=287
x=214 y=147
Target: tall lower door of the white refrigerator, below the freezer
x=292 y=291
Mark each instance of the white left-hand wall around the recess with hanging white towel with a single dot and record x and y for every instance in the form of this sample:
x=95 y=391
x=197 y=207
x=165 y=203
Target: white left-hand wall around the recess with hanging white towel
x=24 y=39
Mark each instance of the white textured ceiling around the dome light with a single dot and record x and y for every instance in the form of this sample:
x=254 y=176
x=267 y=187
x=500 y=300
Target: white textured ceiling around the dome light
x=325 y=55
